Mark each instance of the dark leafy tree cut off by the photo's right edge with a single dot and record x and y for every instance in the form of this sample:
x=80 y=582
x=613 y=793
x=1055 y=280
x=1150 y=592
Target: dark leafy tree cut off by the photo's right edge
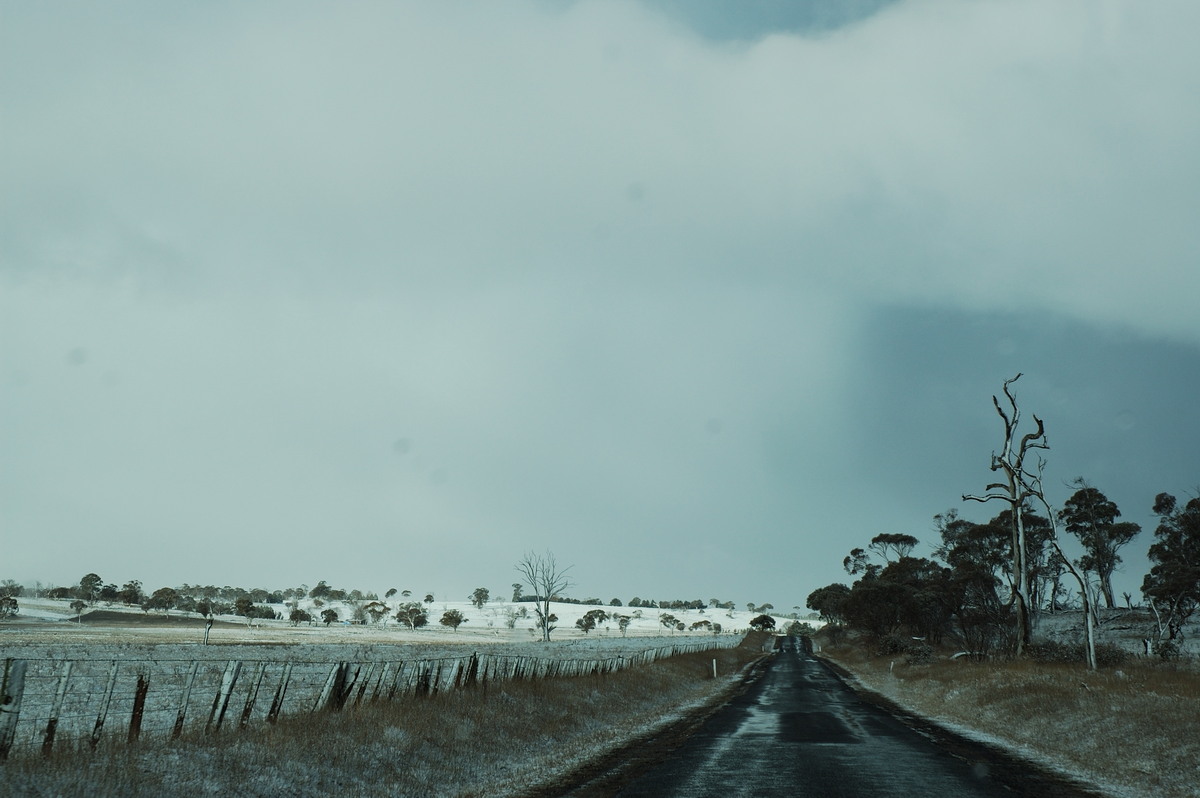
x=1173 y=586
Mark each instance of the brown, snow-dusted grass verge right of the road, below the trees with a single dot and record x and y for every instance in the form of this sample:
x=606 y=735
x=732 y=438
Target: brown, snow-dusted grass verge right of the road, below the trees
x=1131 y=730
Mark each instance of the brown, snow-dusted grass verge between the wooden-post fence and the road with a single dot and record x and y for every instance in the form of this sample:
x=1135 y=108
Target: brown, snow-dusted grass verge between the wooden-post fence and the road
x=501 y=741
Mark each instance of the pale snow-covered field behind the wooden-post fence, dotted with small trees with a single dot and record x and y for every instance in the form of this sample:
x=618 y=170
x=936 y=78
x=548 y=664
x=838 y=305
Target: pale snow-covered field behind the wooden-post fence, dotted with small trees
x=128 y=646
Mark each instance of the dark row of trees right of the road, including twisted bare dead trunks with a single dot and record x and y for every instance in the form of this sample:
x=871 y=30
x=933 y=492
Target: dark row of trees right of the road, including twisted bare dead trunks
x=987 y=584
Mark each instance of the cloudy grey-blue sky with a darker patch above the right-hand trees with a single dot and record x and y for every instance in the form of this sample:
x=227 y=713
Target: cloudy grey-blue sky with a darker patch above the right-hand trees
x=695 y=296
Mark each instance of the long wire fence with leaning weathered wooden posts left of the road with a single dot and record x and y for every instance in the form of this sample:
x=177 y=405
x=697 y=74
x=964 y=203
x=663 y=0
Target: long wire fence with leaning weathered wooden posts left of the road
x=45 y=701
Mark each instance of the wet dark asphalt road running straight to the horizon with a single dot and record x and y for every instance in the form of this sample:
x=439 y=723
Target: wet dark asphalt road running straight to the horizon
x=801 y=731
